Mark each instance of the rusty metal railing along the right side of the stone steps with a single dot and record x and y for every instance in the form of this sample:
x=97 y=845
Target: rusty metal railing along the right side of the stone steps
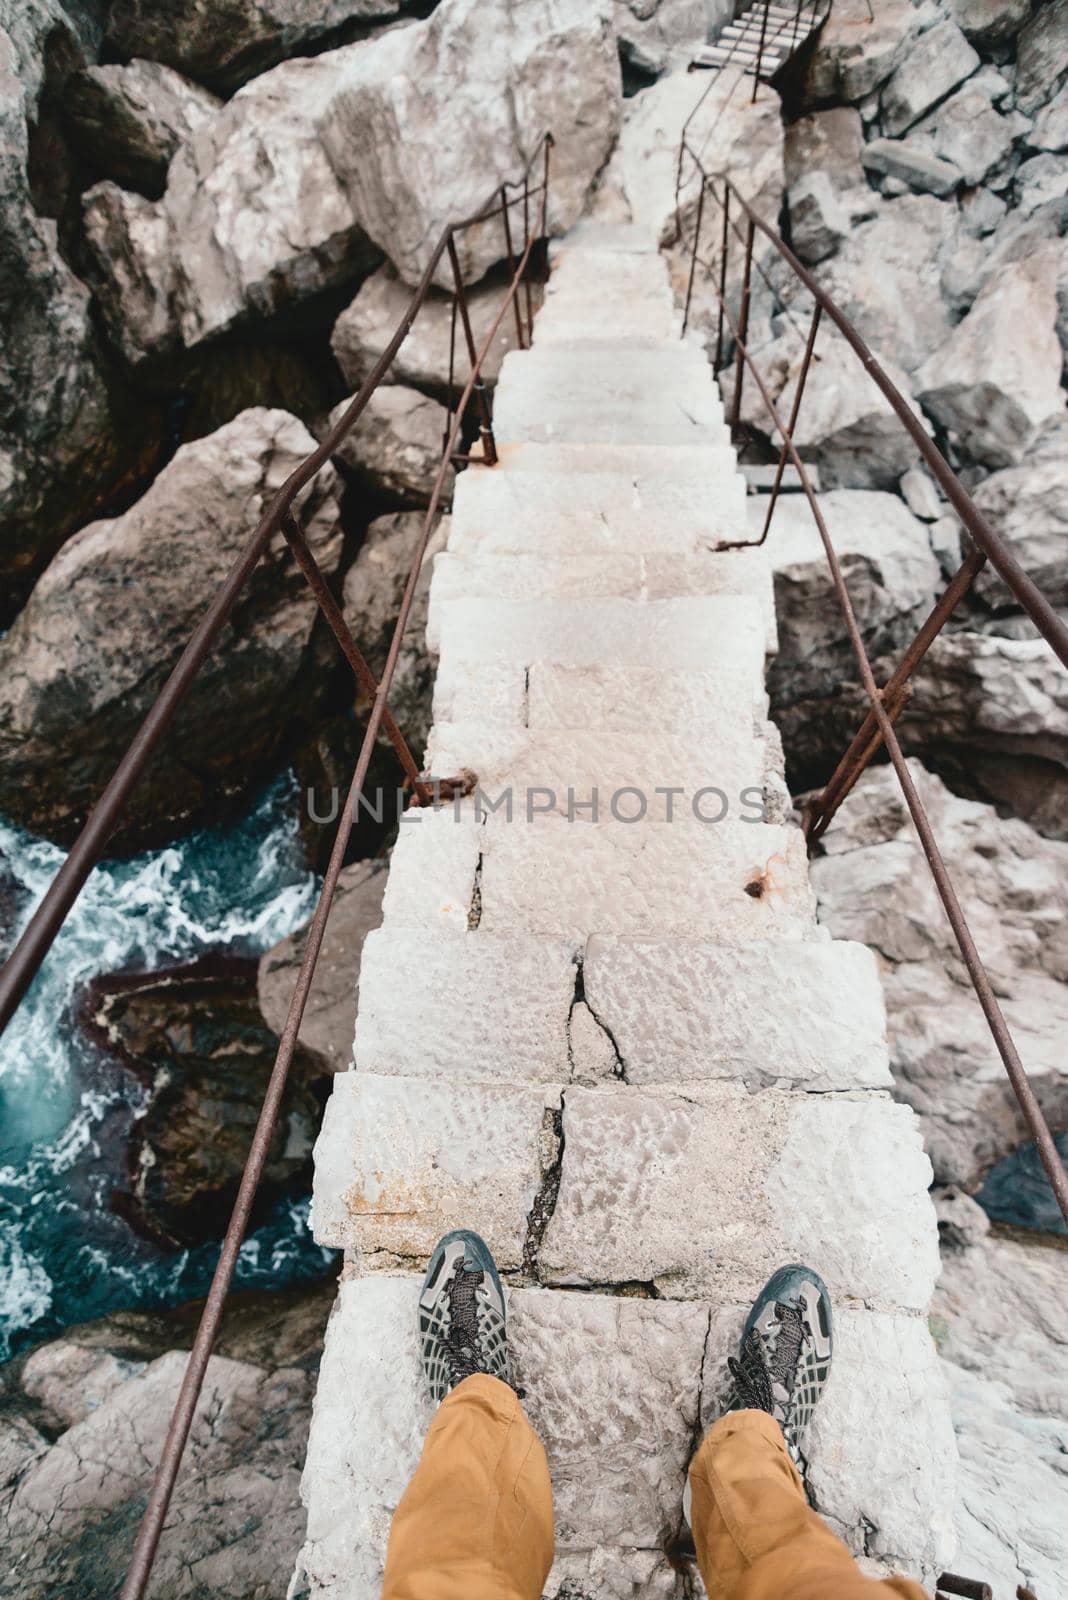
x=888 y=702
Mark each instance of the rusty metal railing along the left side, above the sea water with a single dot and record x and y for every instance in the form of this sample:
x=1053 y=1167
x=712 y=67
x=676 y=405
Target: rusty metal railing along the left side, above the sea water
x=532 y=201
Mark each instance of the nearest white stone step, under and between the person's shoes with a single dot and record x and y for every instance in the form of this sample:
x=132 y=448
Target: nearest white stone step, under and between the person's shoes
x=642 y=1407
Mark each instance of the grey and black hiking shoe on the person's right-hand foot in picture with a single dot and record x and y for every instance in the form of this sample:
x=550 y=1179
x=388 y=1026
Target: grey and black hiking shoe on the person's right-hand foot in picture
x=786 y=1354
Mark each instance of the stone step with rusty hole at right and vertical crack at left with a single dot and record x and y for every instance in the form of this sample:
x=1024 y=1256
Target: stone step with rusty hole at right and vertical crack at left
x=731 y=881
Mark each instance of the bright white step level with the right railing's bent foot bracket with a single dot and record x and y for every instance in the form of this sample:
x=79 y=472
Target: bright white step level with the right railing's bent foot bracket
x=565 y=516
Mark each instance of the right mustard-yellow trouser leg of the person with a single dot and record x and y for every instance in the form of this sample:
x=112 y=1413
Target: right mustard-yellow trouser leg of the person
x=757 y=1535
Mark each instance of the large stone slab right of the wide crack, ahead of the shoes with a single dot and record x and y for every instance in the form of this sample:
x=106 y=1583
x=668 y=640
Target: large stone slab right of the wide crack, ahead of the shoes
x=839 y=1183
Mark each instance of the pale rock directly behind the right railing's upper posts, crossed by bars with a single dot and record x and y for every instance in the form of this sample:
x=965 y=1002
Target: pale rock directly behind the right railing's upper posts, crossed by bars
x=845 y=426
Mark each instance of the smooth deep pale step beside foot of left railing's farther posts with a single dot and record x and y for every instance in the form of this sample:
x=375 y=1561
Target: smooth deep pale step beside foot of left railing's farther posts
x=616 y=396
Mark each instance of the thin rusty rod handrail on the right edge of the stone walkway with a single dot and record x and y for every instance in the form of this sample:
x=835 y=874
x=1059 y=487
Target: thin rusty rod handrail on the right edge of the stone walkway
x=887 y=705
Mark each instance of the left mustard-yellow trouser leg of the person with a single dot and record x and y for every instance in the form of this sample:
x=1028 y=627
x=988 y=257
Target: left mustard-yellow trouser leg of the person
x=477 y=1519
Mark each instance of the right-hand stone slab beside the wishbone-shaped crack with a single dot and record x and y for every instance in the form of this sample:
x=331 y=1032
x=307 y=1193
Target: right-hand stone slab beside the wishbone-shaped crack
x=771 y=1014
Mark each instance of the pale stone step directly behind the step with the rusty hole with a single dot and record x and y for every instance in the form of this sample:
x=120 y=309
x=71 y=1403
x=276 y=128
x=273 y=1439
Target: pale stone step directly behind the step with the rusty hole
x=516 y=762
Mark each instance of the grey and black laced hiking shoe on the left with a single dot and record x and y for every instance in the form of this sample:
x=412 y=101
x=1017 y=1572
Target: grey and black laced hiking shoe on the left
x=461 y=1316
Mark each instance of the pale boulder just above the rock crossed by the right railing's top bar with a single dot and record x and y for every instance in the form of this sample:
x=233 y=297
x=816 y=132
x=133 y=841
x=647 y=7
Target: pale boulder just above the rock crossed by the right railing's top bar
x=888 y=278
